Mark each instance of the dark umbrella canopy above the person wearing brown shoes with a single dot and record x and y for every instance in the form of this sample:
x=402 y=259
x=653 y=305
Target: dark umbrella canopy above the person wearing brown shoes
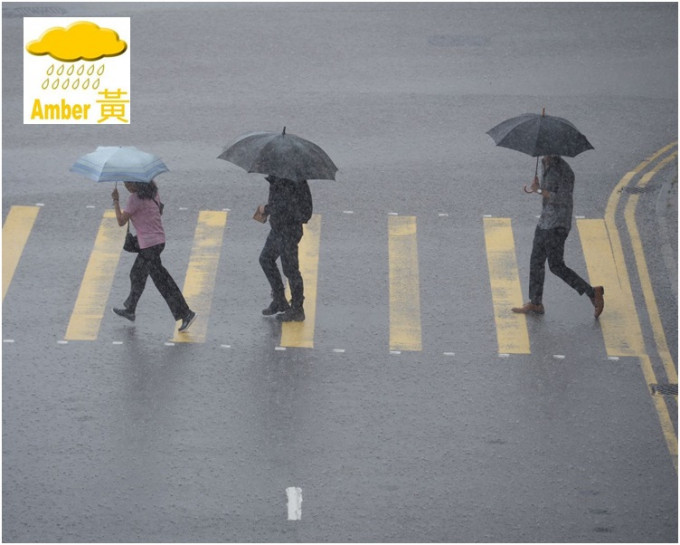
x=540 y=134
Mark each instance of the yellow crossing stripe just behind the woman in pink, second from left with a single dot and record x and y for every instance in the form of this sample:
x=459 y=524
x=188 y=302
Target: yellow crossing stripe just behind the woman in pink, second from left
x=97 y=281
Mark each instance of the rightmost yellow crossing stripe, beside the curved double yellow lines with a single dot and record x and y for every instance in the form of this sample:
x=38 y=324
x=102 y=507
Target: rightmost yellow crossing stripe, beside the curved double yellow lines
x=619 y=321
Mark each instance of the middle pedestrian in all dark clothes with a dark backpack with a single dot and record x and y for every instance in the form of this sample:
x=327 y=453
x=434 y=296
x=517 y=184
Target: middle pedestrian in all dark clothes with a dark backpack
x=288 y=207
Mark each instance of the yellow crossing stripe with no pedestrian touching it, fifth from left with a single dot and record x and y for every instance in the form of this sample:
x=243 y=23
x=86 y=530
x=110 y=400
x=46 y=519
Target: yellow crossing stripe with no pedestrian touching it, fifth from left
x=405 y=323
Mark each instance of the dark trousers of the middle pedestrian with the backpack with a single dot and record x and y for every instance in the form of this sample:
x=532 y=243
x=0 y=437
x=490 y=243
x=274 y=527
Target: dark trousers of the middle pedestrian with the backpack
x=283 y=243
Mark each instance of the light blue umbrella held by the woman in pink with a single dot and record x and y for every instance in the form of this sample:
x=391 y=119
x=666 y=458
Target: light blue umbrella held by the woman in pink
x=119 y=164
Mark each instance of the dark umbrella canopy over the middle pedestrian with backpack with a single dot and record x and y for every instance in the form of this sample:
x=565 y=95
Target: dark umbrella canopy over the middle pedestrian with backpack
x=281 y=155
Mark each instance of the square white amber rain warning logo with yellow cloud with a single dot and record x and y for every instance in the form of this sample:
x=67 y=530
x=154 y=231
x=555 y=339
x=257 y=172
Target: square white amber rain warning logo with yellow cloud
x=77 y=70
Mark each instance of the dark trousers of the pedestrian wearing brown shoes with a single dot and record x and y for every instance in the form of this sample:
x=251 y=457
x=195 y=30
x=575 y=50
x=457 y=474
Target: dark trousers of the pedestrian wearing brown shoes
x=549 y=245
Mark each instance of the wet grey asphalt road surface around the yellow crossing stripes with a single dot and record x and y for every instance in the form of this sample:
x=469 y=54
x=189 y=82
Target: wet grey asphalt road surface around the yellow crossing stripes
x=128 y=439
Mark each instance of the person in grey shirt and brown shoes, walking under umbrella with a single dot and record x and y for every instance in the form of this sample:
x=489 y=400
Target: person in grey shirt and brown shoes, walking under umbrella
x=554 y=224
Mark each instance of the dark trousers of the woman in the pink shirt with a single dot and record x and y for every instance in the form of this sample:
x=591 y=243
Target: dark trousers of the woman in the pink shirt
x=148 y=263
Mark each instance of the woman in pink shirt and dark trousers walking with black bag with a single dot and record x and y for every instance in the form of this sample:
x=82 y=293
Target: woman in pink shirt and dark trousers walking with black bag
x=144 y=209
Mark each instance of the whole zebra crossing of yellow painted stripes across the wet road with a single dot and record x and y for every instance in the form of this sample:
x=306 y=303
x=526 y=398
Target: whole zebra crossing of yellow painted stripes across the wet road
x=404 y=290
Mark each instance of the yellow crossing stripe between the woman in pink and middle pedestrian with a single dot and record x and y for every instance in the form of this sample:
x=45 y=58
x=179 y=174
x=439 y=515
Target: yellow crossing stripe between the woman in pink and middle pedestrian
x=199 y=283
